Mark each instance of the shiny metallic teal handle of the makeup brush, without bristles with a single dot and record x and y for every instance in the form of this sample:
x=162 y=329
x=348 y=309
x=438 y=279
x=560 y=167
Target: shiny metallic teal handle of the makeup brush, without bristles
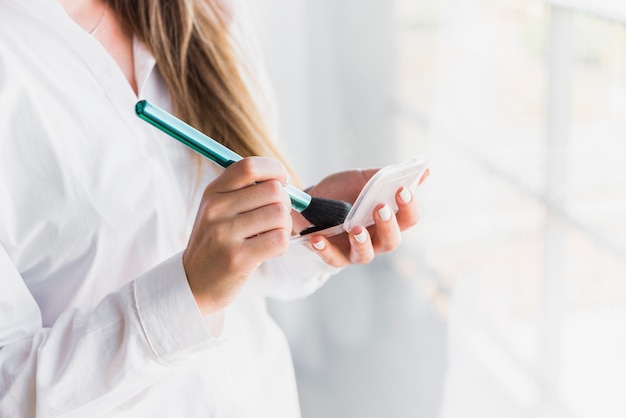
x=204 y=144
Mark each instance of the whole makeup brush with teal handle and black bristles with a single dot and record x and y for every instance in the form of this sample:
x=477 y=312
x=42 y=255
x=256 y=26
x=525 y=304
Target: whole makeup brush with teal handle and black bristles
x=322 y=213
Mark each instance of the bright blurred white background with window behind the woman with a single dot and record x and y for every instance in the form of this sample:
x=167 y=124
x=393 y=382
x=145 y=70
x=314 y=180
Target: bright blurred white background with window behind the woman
x=509 y=298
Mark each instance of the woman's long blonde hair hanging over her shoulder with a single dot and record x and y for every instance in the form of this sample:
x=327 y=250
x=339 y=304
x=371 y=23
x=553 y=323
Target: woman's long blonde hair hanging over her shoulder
x=197 y=55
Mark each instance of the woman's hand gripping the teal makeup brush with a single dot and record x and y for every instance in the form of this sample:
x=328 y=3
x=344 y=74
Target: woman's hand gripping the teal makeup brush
x=244 y=218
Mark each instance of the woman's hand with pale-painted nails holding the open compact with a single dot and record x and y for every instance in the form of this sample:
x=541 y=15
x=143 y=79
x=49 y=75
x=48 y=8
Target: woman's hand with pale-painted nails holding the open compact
x=361 y=244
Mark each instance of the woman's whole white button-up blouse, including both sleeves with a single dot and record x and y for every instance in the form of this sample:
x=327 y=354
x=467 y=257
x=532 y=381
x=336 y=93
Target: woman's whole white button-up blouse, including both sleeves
x=96 y=315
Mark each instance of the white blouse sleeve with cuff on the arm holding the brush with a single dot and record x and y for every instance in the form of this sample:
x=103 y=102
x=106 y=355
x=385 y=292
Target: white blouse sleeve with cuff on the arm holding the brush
x=91 y=360
